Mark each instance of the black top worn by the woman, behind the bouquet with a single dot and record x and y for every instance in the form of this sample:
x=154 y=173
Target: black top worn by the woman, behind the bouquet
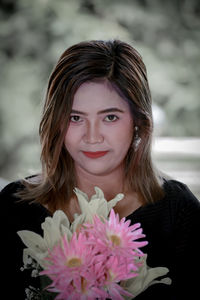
x=171 y=226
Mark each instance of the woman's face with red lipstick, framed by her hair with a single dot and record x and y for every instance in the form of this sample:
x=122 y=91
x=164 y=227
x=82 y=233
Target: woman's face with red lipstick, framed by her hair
x=100 y=129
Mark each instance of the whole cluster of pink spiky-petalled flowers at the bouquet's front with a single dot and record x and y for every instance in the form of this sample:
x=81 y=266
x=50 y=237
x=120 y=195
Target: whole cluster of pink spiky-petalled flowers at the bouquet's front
x=95 y=260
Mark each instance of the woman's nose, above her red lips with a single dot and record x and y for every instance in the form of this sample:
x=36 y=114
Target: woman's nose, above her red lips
x=93 y=134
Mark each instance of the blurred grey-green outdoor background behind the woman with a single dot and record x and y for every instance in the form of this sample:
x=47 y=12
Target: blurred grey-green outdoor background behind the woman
x=33 y=34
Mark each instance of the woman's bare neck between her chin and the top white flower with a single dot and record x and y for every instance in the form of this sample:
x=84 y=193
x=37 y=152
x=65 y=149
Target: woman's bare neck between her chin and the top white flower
x=111 y=184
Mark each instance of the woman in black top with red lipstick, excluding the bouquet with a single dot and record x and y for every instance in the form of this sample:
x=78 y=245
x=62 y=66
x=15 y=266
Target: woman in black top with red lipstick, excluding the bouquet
x=96 y=130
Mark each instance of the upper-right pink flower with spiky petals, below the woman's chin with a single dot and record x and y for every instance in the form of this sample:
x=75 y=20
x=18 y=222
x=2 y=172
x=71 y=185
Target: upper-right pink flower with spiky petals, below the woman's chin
x=116 y=237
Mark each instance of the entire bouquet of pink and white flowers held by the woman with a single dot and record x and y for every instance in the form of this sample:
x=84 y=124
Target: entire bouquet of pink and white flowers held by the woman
x=98 y=256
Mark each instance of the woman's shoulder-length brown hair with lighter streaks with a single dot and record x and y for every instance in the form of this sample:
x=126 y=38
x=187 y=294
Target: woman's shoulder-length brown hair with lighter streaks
x=120 y=64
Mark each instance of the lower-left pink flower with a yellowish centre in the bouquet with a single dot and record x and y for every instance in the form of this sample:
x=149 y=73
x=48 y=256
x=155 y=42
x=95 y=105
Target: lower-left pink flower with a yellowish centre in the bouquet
x=69 y=268
